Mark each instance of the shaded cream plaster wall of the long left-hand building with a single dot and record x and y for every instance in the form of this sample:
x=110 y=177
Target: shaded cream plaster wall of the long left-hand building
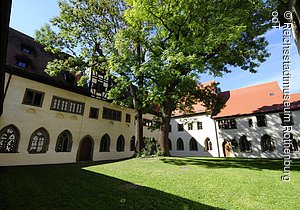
x=29 y=118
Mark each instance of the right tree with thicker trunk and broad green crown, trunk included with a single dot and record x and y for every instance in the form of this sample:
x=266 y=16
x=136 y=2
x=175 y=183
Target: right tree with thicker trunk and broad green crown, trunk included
x=192 y=37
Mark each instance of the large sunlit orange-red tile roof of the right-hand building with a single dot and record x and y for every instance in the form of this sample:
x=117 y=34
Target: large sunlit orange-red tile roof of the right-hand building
x=254 y=99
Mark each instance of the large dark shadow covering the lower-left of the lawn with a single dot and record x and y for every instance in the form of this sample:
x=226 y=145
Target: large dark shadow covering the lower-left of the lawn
x=70 y=186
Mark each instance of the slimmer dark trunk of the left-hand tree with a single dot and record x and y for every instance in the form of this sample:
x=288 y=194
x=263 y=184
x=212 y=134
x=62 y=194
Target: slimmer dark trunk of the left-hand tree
x=138 y=130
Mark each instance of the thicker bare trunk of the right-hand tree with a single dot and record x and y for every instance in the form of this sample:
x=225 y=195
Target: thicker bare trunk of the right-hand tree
x=164 y=131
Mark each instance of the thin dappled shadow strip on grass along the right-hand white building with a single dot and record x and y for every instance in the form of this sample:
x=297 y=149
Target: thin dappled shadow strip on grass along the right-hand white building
x=253 y=163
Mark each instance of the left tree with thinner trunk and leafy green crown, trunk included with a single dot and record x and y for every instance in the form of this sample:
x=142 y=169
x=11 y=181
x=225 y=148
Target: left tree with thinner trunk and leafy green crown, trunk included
x=91 y=35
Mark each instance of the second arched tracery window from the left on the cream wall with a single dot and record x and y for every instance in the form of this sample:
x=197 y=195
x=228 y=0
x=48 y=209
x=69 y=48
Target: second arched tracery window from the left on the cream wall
x=39 y=141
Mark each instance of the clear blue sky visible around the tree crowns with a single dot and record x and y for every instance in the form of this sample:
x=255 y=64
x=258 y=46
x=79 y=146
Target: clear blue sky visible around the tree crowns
x=30 y=15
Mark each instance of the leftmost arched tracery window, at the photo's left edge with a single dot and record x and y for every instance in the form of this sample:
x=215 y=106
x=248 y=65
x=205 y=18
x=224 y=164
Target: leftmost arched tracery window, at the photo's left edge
x=9 y=139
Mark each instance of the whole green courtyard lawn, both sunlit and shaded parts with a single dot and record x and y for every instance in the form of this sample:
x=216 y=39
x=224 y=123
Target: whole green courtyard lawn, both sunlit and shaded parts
x=154 y=183
